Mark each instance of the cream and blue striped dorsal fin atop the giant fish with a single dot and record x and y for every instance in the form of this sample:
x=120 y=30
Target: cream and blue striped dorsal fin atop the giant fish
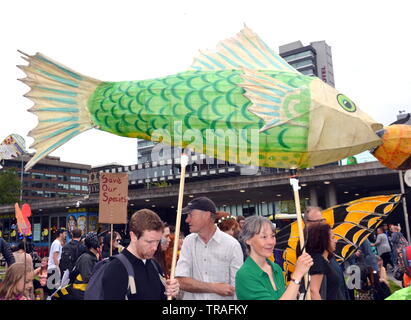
x=245 y=50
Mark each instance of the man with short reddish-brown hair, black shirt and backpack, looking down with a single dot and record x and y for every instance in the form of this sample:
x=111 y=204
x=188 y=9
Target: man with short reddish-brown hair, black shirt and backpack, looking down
x=146 y=231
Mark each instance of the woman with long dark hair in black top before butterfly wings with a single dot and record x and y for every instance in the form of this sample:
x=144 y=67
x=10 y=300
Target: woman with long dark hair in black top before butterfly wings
x=325 y=281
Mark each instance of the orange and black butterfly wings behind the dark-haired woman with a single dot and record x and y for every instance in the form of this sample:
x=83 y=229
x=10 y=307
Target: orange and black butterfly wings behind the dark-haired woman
x=351 y=222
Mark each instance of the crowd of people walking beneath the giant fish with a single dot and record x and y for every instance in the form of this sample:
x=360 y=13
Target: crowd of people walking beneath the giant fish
x=222 y=258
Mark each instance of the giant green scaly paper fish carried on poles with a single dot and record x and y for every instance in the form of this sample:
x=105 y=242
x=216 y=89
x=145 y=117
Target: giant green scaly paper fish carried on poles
x=240 y=103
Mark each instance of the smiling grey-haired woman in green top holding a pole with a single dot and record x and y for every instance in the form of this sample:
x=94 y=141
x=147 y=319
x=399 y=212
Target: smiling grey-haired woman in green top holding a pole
x=259 y=278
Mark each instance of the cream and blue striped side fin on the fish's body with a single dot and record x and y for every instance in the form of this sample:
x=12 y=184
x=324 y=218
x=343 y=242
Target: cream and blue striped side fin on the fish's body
x=268 y=96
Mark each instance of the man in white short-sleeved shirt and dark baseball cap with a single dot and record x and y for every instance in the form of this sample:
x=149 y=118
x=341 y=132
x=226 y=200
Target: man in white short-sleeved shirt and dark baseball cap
x=209 y=258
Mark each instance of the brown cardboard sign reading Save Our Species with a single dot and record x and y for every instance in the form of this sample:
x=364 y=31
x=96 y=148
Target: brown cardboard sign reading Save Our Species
x=113 y=198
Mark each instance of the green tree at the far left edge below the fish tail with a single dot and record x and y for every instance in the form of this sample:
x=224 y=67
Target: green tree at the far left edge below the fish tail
x=9 y=186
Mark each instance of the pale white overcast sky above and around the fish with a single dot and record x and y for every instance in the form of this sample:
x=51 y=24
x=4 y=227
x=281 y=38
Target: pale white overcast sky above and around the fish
x=136 y=40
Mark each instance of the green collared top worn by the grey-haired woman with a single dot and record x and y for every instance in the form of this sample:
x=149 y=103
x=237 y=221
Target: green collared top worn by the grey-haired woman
x=252 y=283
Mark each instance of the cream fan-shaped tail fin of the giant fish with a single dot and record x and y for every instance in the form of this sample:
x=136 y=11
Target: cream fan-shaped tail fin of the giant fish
x=60 y=98
